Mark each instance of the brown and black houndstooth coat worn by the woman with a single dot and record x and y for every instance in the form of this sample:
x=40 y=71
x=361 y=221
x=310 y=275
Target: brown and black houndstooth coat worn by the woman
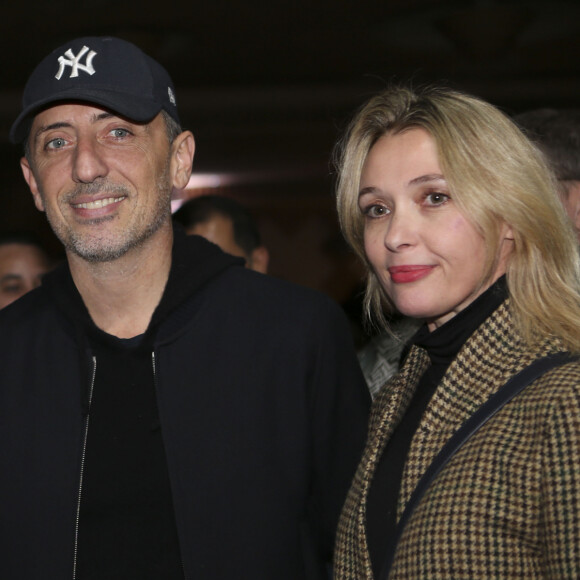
x=507 y=505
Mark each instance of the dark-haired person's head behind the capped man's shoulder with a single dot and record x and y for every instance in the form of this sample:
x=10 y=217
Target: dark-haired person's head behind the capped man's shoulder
x=226 y=223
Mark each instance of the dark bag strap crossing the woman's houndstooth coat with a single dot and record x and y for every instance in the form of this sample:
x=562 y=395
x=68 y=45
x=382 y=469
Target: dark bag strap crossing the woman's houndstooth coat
x=505 y=394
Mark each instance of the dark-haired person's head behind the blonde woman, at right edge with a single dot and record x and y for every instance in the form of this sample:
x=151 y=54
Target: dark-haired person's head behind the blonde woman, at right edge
x=557 y=133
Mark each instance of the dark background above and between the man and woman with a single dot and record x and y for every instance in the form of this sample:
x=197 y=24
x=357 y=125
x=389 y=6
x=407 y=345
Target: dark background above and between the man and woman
x=267 y=86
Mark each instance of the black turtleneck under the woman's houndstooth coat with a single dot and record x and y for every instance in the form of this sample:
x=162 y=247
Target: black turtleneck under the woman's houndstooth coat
x=442 y=346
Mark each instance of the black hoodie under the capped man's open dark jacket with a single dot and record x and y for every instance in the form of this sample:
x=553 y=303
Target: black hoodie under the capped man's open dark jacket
x=126 y=520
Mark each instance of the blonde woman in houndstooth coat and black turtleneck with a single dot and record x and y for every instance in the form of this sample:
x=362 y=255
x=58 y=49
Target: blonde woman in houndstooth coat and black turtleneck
x=456 y=217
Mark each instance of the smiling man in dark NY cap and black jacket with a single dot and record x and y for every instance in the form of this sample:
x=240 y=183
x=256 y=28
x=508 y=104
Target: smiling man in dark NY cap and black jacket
x=165 y=412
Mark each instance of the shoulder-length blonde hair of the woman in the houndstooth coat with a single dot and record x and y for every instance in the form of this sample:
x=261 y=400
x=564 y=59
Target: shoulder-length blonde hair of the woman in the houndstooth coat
x=496 y=176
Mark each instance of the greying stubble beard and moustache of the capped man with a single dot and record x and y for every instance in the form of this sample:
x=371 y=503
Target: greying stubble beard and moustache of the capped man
x=110 y=247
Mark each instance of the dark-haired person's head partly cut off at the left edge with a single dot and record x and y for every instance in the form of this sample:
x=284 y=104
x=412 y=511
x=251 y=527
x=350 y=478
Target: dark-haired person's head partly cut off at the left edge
x=23 y=262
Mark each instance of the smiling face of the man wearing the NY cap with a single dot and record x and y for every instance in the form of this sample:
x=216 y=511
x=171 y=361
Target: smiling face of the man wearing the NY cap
x=105 y=183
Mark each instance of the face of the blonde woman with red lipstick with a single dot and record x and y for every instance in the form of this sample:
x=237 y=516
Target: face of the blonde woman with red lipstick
x=427 y=256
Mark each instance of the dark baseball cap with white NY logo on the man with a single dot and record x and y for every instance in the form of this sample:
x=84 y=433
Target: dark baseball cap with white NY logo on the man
x=105 y=71
